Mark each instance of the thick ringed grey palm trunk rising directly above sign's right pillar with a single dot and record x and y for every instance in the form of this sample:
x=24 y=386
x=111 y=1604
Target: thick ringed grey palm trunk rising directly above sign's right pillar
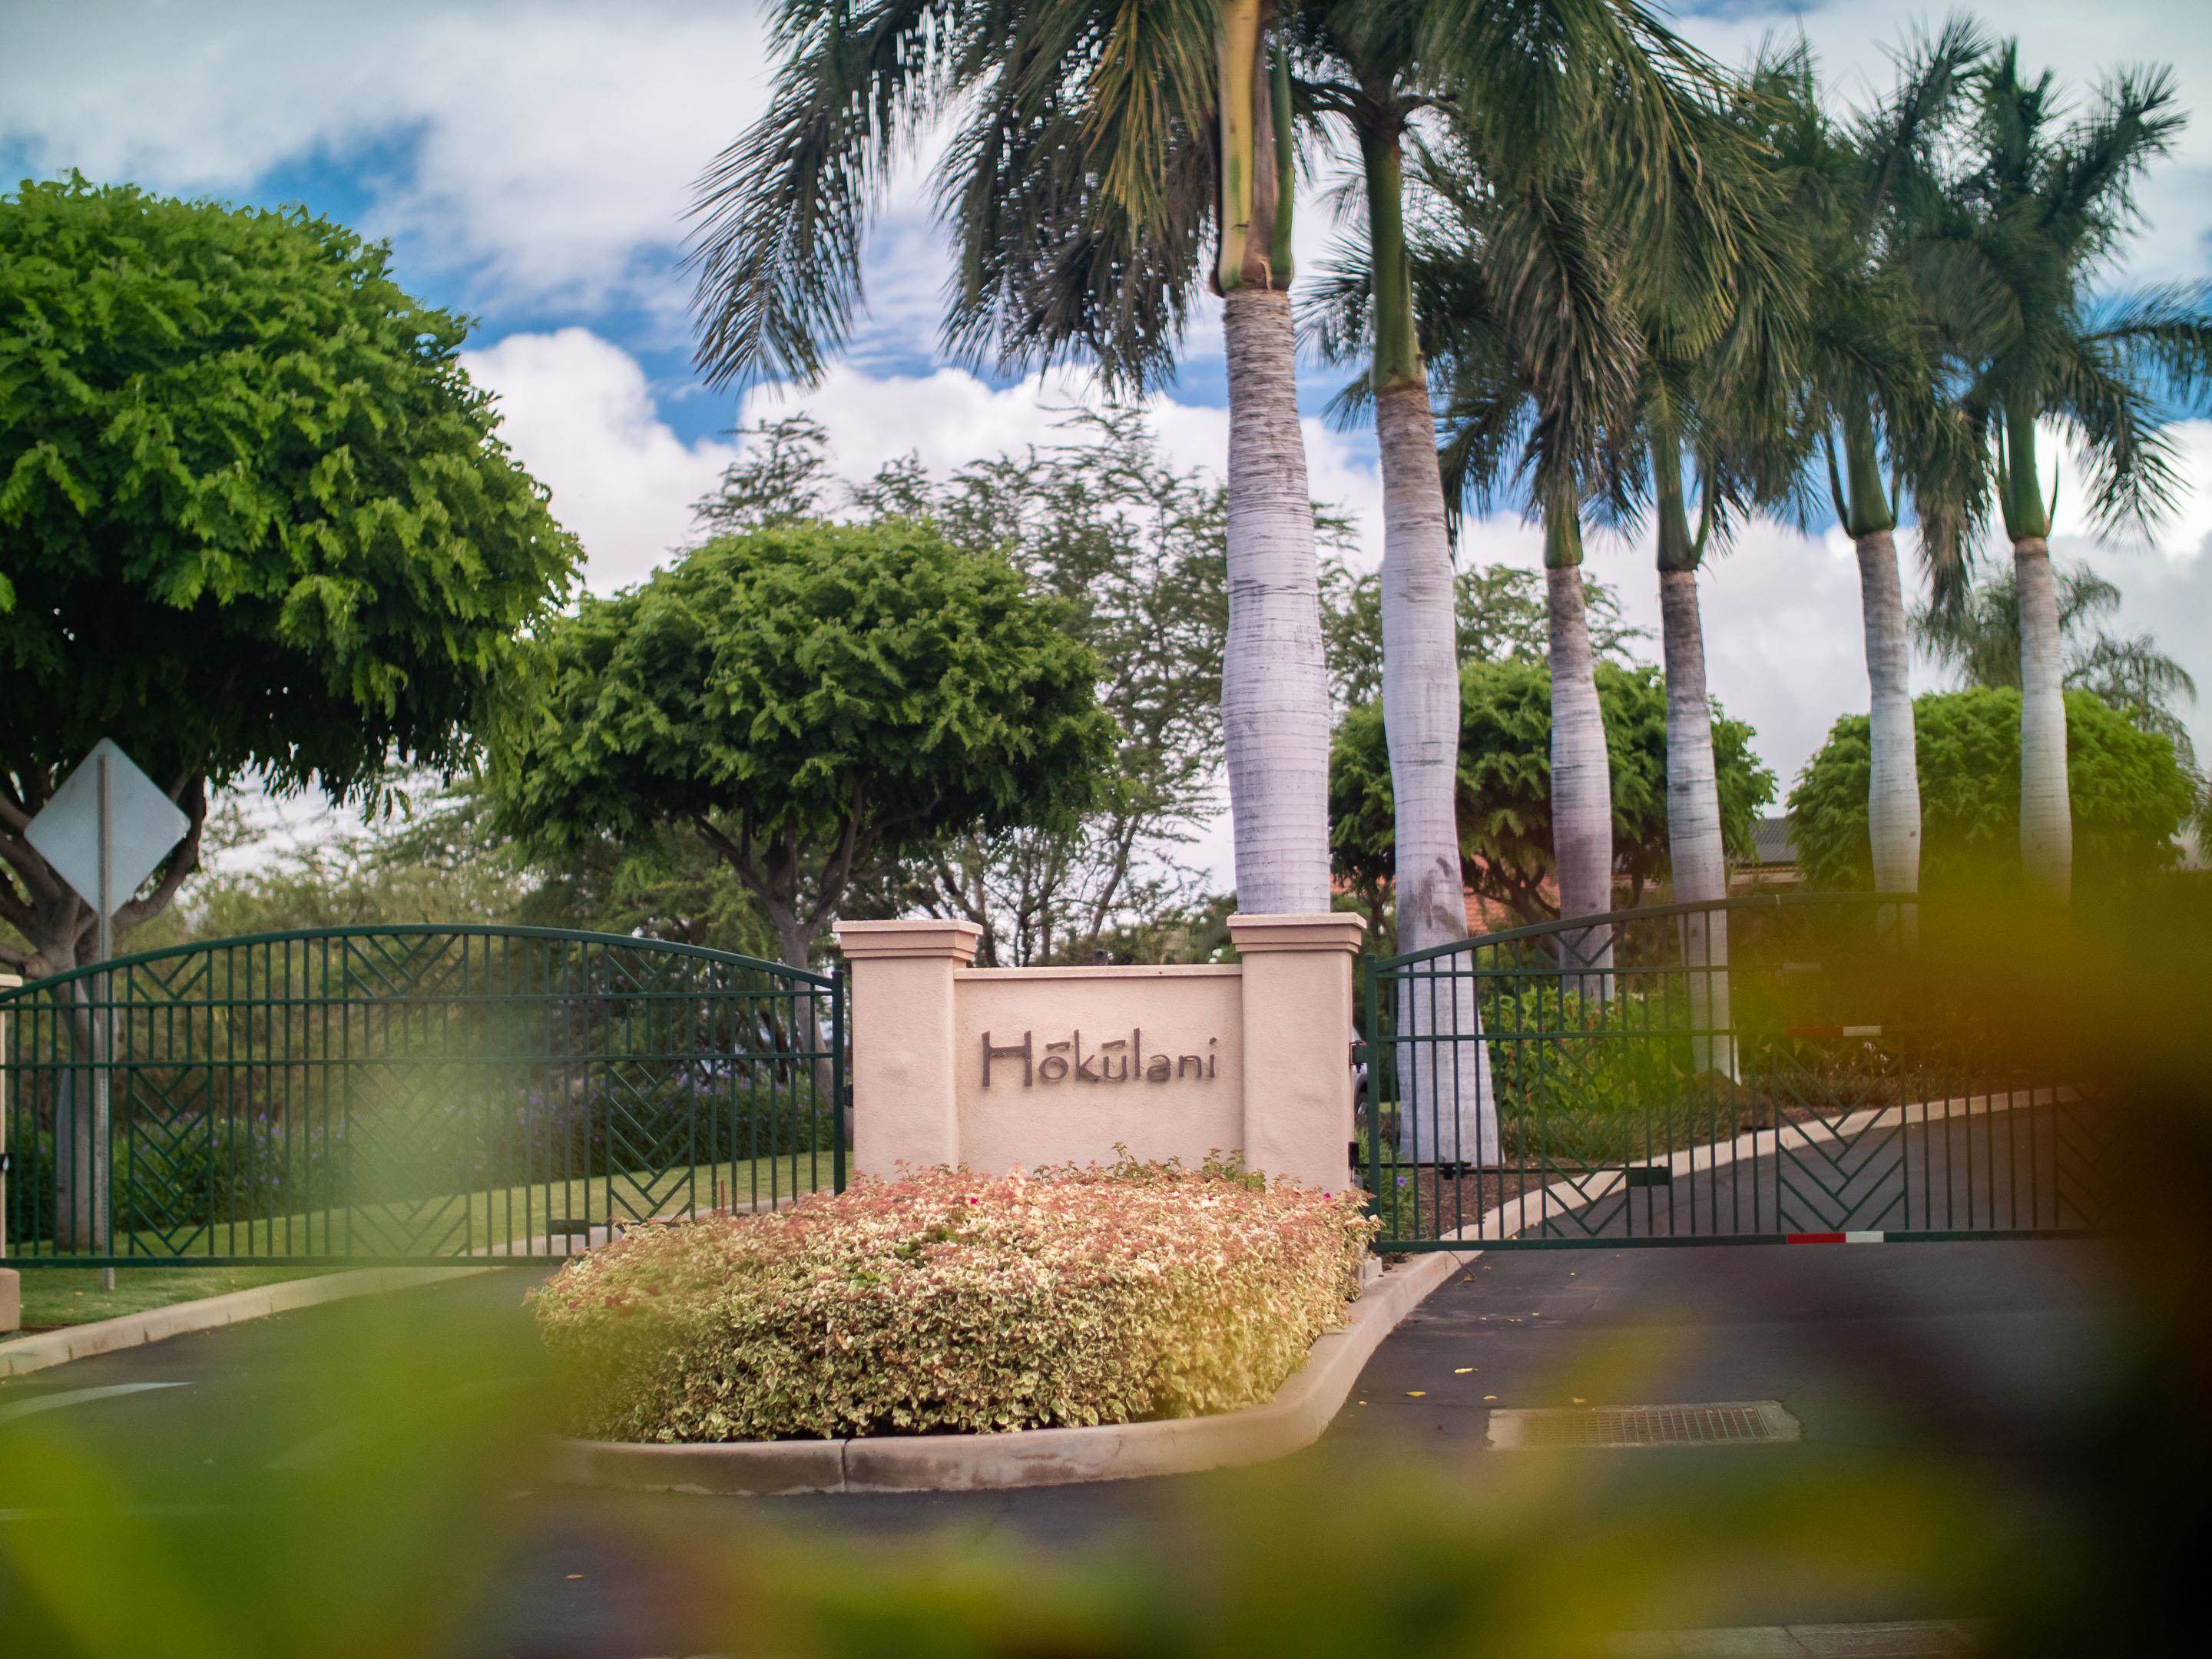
x=1275 y=693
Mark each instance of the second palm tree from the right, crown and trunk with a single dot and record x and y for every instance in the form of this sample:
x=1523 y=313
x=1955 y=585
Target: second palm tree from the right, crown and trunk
x=1868 y=384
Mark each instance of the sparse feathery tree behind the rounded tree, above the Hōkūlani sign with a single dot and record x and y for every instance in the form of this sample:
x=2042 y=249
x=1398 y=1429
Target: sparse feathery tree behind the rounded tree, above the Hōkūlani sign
x=1134 y=547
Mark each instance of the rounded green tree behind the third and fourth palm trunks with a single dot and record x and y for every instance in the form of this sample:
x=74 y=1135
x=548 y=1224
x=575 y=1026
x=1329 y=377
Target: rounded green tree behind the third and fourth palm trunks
x=1505 y=786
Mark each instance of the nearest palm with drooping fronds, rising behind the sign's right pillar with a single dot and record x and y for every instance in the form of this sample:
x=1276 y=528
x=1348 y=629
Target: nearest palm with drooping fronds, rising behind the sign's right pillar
x=1098 y=149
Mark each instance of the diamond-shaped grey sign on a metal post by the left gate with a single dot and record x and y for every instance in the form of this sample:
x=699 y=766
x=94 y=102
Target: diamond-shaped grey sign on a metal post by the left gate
x=105 y=833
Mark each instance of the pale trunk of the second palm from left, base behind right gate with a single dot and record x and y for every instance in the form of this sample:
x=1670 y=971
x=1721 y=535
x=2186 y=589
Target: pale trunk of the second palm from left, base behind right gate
x=1446 y=1105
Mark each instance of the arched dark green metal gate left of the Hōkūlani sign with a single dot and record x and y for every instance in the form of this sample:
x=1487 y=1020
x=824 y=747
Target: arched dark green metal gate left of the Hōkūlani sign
x=408 y=1094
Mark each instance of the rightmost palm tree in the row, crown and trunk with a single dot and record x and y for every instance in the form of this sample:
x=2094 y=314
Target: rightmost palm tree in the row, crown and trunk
x=2010 y=253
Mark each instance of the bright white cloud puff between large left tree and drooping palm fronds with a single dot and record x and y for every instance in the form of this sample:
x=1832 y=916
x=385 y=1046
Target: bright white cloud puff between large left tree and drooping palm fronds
x=578 y=413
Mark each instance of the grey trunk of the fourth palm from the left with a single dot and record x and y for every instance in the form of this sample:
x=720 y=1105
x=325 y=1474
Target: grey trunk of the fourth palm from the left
x=1693 y=822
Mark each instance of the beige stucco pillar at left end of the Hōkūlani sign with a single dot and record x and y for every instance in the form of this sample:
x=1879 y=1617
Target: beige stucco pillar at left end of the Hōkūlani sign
x=906 y=1109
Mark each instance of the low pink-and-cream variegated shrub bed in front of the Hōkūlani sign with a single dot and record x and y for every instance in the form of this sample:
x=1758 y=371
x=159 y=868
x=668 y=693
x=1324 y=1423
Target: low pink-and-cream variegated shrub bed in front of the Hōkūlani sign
x=957 y=1304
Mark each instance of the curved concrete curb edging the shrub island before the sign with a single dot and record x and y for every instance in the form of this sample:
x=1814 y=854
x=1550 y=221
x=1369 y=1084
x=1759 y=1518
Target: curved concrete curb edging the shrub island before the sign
x=1293 y=1419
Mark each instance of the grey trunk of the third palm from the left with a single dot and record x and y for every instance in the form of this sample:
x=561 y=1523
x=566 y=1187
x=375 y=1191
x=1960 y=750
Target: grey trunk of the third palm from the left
x=1580 y=769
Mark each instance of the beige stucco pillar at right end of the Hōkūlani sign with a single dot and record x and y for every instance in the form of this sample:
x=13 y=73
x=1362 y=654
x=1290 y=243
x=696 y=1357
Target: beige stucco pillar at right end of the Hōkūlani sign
x=1297 y=1041
